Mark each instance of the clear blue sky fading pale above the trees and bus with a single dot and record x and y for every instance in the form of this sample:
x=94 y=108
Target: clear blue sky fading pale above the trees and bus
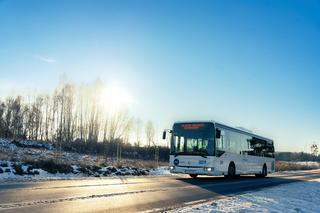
x=254 y=64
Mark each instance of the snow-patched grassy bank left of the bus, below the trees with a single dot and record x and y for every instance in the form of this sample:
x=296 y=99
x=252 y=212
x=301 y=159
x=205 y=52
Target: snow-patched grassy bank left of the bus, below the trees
x=31 y=160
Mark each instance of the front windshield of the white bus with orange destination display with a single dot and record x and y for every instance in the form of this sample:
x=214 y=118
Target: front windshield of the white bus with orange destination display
x=192 y=139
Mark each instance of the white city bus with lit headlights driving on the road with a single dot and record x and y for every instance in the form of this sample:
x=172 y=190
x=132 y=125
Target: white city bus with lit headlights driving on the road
x=211 y=148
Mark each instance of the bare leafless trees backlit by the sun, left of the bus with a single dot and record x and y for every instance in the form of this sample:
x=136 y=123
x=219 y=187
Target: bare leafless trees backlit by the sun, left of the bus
x=71 y=113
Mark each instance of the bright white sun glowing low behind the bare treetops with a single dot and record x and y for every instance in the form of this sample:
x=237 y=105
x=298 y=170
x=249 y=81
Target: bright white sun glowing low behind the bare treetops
x=115 y=96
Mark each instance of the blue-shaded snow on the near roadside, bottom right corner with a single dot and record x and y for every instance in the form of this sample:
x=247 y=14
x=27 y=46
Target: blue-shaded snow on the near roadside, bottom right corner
x=293 y=197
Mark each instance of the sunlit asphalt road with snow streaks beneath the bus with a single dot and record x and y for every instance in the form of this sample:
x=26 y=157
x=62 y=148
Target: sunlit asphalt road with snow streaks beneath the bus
x=130 y=194
